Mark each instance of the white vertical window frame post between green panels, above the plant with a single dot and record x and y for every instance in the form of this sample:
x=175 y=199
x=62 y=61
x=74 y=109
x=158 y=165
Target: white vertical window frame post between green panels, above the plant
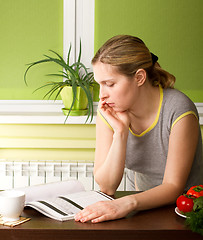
x=79 y=24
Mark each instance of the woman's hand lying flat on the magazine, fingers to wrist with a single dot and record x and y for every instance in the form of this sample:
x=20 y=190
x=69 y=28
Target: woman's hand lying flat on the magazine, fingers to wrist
x=106 y=210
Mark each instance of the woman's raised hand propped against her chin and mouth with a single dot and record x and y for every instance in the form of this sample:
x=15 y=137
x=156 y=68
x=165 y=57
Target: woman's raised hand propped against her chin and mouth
x=119 y=121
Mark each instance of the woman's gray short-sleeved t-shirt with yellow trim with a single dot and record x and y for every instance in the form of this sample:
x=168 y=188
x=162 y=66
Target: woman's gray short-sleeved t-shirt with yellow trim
x=147 y=153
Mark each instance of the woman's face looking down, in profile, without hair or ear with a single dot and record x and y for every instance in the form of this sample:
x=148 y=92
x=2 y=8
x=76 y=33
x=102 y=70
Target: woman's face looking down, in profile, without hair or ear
x=117 y=90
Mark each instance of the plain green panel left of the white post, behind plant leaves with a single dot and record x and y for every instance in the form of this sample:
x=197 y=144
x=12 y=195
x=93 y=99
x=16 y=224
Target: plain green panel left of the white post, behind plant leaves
x=28 y=28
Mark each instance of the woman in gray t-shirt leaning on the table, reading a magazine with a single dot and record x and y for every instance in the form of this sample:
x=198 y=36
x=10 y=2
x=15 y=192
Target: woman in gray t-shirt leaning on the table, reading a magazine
x=145 y=125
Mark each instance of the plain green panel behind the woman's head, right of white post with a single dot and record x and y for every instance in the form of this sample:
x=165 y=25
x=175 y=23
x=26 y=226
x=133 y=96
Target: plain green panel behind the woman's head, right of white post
x=172 y=29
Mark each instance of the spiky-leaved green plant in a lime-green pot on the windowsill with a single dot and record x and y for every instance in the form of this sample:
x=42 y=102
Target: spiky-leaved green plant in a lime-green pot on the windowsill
x=76 y=88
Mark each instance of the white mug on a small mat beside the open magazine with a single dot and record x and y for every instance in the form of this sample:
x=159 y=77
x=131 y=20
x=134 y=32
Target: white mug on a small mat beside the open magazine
x=11 y=204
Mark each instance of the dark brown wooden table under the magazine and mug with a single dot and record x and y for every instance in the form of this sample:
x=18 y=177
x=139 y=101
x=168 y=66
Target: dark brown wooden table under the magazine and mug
x=160 y=224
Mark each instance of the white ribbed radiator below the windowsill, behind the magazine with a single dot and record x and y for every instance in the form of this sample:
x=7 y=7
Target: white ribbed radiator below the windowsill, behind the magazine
x=15 y=174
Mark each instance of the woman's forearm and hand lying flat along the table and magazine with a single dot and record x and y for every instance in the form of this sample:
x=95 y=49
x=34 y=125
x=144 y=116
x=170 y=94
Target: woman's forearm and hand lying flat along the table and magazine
x=121 y=207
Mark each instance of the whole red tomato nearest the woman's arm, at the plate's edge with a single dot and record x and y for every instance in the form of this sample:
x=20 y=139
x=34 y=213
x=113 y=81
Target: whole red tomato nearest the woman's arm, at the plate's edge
x=184 y=203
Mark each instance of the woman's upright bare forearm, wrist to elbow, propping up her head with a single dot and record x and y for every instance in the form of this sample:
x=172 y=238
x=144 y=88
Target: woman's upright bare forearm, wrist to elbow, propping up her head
x=109 y=174
